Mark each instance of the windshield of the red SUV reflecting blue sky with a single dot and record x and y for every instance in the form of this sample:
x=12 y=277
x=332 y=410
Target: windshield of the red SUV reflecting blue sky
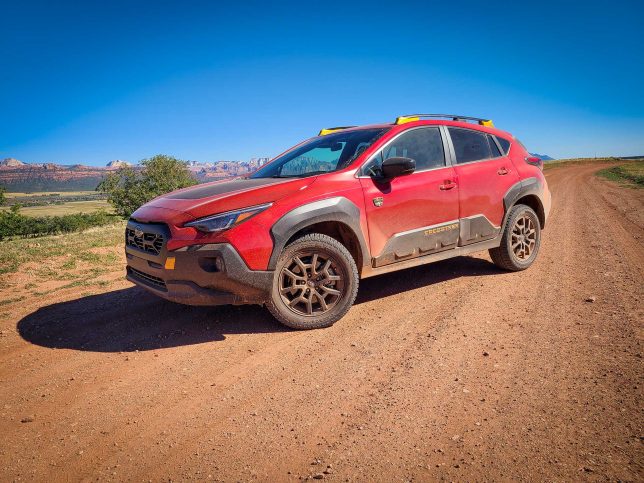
x=321 y=155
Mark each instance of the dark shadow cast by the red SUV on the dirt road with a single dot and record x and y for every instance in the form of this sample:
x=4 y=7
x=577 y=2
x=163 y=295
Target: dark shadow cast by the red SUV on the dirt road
x=131 y=319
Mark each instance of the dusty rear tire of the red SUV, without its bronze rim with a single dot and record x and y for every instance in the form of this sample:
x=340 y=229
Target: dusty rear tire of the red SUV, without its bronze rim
x=504 y=256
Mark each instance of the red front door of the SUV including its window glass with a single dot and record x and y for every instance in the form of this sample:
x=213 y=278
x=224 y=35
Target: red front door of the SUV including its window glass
x=417 y=214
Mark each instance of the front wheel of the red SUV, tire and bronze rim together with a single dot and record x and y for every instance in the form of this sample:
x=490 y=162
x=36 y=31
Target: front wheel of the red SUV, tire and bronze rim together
x=315 y=283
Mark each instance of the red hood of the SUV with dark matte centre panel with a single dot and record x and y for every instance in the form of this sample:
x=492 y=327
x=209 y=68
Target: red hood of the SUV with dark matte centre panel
x=220 y=196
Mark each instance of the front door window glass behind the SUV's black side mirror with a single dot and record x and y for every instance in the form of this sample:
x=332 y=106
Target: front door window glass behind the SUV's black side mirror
x=423 y=145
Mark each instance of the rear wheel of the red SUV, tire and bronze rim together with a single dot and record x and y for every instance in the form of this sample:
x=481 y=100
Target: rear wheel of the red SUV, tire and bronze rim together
x=520 y=240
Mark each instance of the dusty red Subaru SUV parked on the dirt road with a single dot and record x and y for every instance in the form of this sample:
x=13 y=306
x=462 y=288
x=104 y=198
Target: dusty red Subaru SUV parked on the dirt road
x=301 y=231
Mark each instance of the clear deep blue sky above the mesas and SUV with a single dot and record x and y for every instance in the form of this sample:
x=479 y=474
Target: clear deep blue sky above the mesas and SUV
x=89 y=82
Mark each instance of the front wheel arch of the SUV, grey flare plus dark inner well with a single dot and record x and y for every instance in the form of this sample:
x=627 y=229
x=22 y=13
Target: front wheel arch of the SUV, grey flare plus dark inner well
x=336 y=217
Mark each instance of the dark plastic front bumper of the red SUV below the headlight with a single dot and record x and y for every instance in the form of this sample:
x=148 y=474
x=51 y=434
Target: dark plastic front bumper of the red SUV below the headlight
x=212 y=274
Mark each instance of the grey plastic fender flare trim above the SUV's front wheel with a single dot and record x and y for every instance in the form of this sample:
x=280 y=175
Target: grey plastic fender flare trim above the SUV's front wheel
x=337 y=209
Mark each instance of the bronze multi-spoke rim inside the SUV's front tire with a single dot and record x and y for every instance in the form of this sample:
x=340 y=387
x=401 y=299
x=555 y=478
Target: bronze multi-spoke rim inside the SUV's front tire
x=311 y=283
